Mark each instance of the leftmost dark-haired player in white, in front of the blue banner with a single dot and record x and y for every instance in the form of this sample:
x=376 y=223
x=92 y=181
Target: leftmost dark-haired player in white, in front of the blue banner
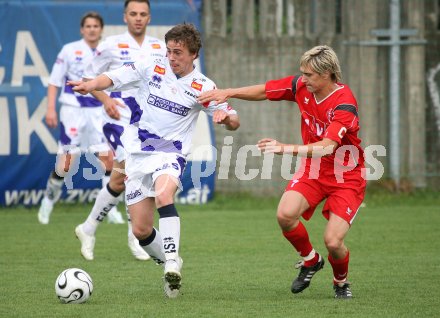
x=80 y=116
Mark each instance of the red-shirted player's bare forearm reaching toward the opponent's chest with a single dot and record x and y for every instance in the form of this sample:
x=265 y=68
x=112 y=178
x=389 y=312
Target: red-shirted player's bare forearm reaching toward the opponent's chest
x=255 y=93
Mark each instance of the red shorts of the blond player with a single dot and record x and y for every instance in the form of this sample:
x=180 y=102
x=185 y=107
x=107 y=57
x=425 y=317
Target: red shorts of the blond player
x=342 y=199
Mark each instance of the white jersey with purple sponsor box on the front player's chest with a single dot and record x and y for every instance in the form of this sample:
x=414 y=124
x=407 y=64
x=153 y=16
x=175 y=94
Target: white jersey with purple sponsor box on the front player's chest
x=168 y=108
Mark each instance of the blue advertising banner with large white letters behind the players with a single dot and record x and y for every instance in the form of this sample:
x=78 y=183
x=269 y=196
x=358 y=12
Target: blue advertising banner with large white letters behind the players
x=31 y=35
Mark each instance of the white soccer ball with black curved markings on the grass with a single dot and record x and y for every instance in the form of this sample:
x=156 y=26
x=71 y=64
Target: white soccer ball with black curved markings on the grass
x=73 y=286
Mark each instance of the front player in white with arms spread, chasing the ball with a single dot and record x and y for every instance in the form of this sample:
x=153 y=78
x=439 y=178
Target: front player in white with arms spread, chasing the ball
x=159 y=140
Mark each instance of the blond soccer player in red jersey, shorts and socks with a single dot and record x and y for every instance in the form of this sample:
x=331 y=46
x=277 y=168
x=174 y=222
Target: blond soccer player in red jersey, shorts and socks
x=331 y=169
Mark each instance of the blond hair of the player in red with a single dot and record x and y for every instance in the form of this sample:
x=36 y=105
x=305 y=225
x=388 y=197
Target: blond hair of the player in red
x=322 y=59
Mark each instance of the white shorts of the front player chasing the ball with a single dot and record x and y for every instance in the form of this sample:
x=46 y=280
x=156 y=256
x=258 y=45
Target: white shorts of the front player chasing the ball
x=143 y=170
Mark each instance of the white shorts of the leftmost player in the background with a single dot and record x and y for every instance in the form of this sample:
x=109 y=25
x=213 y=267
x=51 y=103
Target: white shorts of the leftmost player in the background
x=81 y=130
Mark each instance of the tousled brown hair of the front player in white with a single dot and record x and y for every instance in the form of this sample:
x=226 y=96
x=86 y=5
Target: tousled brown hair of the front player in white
x=187 y=34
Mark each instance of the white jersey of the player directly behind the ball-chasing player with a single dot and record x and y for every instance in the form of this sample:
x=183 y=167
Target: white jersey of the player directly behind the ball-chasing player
x=118 y=50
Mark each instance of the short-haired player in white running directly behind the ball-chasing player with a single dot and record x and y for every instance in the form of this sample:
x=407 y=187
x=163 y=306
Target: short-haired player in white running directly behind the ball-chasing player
x=112 y=53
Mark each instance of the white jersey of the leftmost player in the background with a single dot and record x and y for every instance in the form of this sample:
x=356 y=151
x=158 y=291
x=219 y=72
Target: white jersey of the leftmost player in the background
x=69 y=65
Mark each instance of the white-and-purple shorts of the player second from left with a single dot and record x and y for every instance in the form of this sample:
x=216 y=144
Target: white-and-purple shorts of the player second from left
x=113 y=130
